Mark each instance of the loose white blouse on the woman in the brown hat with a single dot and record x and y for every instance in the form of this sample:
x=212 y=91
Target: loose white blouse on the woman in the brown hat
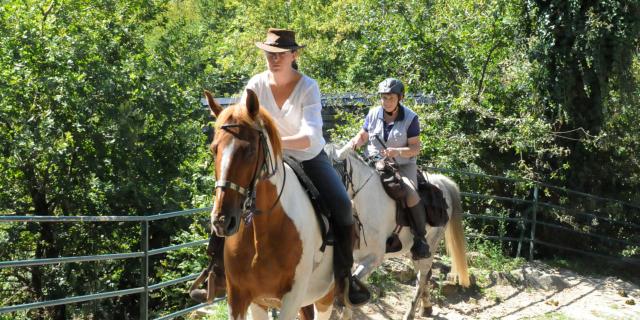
x=300 y=113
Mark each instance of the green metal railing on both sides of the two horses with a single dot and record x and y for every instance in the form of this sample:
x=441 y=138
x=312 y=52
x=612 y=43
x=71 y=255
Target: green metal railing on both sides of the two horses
x=530 y=216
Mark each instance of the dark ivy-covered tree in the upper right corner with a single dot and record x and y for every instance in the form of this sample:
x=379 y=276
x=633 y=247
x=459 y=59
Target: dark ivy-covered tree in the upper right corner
x=583 y=52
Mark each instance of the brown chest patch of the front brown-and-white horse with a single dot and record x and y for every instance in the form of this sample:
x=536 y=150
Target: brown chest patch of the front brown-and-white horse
x=262 y=257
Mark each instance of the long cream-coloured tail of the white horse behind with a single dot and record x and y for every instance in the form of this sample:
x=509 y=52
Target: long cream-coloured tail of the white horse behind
x=454 y=236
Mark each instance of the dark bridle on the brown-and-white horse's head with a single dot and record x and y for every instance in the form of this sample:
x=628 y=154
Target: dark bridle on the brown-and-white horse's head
x=268 y=169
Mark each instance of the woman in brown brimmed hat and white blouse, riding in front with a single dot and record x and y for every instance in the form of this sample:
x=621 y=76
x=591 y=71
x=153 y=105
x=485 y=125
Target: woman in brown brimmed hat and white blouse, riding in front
x=293 y=100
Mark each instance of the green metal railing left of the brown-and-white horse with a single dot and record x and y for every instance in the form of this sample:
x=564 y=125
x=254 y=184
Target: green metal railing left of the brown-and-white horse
x=143 y=290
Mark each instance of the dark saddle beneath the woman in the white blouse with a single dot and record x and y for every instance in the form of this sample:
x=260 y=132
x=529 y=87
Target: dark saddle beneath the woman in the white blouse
x=320 y=208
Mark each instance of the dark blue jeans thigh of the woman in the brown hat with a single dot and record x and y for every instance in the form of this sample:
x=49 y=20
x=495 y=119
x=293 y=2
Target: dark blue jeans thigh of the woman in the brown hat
x=332 y=191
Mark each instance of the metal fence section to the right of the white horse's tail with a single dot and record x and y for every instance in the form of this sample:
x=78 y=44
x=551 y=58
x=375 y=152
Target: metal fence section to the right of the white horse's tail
x=548 y=219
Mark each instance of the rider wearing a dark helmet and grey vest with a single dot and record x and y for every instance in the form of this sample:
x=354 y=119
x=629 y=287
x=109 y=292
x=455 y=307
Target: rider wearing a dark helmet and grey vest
x=393 y=131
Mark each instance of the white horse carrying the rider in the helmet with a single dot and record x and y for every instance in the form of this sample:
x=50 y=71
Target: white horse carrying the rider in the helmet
x=376 y=211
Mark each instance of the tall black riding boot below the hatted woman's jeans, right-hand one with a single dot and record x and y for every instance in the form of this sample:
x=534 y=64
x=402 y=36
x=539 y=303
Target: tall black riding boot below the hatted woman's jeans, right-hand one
x=351 y=291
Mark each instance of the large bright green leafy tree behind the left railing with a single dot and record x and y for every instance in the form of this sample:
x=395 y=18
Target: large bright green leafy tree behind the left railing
x=92 y=123
